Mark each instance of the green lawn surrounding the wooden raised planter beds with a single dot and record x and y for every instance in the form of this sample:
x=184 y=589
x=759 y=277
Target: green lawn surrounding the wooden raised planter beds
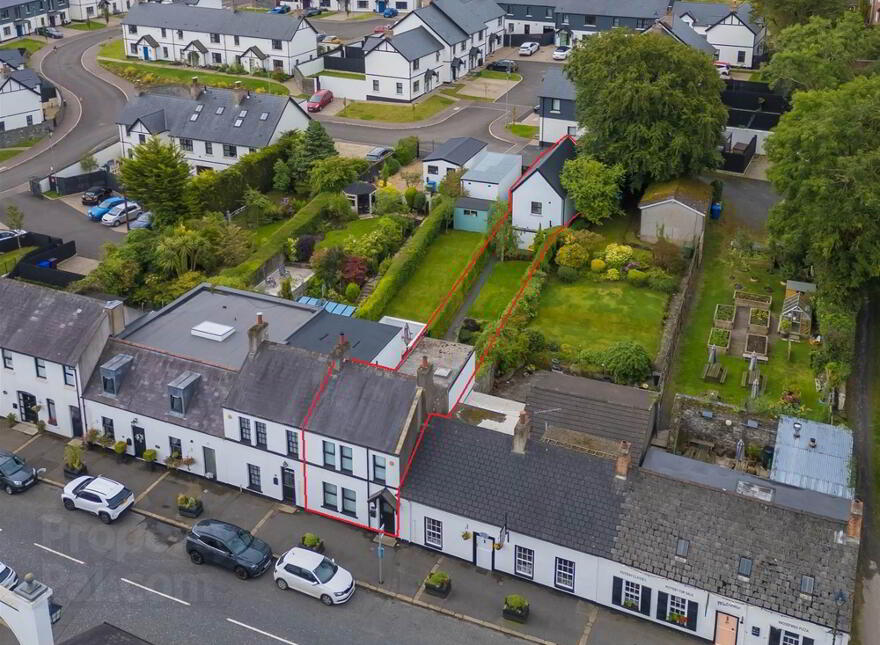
x=716 y=286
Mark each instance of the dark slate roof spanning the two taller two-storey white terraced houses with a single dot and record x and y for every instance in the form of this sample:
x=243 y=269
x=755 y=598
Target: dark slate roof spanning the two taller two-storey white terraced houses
x=362 y=405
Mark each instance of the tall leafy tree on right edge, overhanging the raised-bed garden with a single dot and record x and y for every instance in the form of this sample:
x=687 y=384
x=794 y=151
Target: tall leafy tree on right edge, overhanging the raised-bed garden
x=826 y=166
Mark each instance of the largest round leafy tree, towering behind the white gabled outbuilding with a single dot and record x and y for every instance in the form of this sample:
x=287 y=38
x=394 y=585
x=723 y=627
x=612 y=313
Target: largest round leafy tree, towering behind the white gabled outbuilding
x=649 y=103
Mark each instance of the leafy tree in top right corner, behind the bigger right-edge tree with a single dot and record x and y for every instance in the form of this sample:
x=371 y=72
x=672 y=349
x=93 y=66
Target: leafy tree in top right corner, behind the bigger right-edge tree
x=821 y=53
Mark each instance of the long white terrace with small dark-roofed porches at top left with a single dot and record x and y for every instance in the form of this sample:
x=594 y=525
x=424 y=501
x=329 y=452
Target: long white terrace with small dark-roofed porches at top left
x=207 y=36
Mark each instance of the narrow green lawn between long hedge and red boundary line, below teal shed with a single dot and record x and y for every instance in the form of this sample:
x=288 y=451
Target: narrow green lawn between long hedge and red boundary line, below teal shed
x=445 y=260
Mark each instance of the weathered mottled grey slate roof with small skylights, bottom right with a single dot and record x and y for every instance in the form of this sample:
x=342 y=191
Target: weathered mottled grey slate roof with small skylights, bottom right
x=722 y=525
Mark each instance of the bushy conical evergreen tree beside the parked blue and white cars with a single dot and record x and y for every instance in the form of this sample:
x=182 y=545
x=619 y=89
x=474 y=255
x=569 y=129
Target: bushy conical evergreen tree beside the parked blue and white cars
x=156 y=177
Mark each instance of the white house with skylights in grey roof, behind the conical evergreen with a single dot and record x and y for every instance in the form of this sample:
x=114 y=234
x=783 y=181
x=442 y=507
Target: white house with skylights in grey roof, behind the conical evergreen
x=213 y=128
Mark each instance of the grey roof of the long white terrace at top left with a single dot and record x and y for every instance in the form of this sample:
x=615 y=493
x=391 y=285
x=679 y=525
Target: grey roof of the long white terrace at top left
x=216 y=21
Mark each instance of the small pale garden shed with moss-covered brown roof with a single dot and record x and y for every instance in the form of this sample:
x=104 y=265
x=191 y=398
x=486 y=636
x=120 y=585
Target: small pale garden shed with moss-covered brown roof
x=675 y=210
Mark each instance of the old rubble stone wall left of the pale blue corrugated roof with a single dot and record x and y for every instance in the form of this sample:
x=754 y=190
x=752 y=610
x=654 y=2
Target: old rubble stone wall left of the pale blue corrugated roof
x=688 y=422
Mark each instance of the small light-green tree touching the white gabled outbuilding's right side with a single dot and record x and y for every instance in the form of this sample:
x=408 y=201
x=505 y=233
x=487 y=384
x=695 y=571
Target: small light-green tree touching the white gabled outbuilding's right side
x=594 y=187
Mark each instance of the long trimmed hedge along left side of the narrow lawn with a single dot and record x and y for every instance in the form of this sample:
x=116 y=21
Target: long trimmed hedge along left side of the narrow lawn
x=406 y=260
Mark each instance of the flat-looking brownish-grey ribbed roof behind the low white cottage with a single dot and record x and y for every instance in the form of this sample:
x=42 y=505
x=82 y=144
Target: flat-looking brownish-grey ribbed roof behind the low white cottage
x=616 y=412
